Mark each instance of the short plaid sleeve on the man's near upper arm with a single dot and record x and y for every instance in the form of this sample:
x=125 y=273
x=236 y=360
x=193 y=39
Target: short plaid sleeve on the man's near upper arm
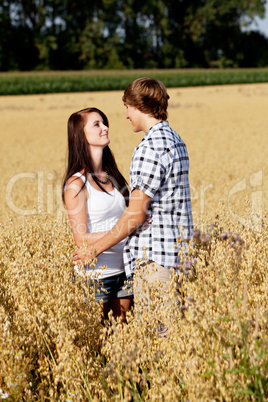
x=146 y=171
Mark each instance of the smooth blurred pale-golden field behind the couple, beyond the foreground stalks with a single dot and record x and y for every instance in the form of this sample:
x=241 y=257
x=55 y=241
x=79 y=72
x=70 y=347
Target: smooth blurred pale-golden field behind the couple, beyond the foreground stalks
x=224 y=127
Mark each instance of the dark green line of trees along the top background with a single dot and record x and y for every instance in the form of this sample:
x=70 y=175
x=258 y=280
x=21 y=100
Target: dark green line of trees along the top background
x=130 y=34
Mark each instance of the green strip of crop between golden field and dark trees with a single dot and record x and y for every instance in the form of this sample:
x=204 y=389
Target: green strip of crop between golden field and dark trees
x=86 y=81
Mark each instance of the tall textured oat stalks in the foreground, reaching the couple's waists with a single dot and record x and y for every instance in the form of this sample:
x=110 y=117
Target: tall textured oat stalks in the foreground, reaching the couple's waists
x=54 y=347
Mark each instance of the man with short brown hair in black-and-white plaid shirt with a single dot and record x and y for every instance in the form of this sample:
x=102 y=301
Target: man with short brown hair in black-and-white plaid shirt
x=159 y=186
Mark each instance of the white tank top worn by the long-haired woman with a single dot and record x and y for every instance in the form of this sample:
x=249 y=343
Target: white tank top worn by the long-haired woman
x=103 y=211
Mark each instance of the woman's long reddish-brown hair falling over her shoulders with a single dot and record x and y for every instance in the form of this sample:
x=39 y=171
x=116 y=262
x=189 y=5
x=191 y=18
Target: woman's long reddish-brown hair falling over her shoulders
x=79 y=158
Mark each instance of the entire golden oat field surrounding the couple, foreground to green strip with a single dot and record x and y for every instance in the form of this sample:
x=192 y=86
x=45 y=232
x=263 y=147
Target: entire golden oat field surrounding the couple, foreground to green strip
x=53 y=345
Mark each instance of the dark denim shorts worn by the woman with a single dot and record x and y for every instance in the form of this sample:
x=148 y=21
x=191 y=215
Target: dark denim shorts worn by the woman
x=114 y=287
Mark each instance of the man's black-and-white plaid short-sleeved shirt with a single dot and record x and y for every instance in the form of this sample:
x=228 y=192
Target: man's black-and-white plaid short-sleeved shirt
x=159 y=168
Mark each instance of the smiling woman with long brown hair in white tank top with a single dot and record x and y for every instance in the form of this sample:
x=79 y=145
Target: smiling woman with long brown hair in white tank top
x=95 y=195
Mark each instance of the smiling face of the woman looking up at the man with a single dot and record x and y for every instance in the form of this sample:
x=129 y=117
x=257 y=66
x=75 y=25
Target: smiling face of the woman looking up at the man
x=95 y=131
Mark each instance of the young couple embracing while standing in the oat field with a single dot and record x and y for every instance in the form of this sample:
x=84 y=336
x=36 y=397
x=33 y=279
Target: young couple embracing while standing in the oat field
x=95 y=194
